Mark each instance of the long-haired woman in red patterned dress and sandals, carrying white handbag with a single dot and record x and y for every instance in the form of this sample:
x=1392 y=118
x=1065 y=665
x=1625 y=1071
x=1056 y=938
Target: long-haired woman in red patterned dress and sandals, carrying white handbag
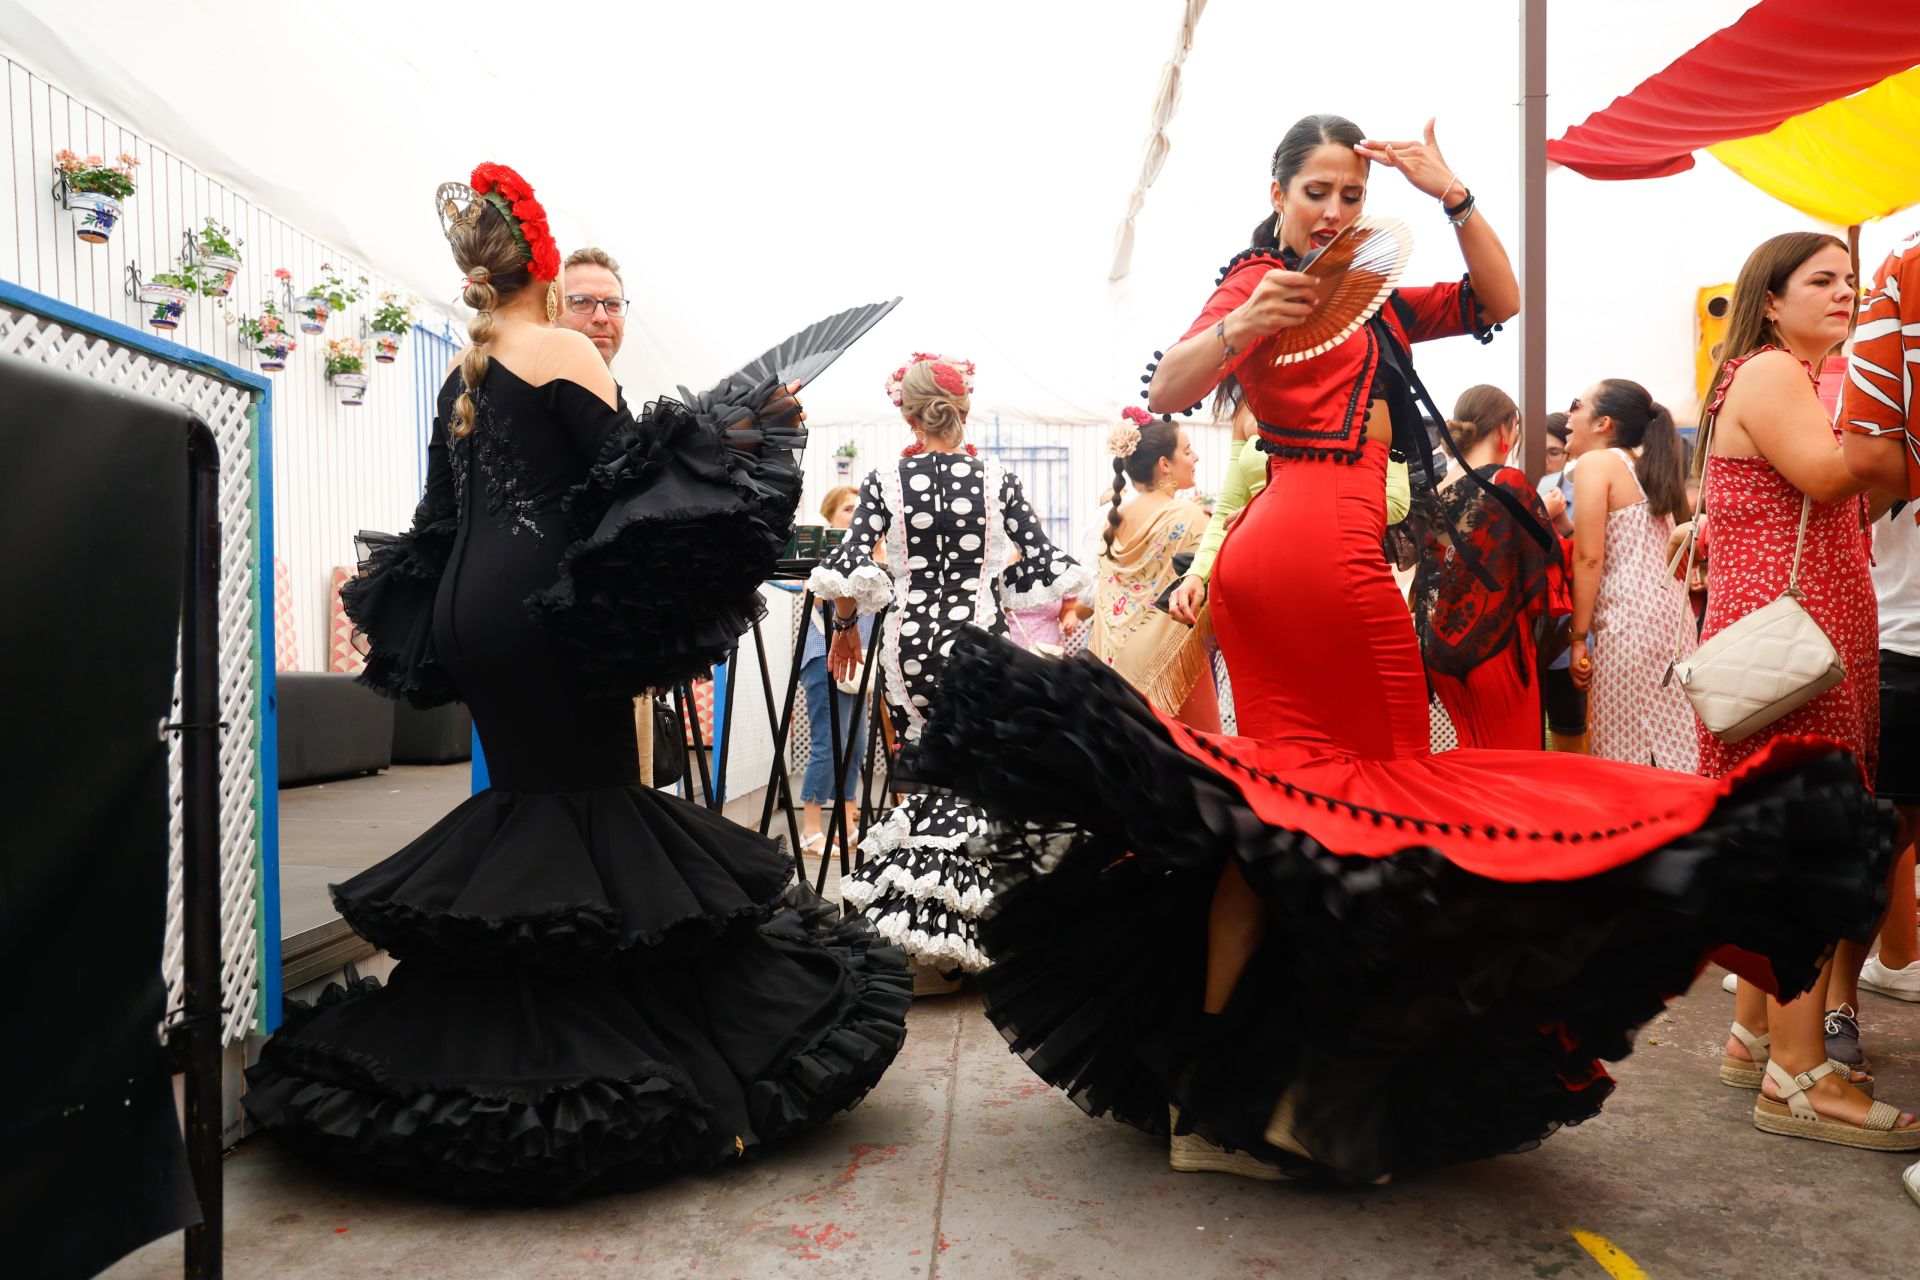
x=1773 y=454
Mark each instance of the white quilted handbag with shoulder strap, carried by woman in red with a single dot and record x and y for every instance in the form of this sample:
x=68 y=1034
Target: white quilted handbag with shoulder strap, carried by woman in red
x=1764 y=667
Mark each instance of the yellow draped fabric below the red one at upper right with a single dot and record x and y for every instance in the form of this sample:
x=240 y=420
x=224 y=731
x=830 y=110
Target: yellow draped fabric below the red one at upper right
x=1848 y=162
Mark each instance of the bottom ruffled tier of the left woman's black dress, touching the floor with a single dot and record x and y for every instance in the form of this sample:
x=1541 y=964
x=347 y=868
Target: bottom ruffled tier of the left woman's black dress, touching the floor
x=531 y=1087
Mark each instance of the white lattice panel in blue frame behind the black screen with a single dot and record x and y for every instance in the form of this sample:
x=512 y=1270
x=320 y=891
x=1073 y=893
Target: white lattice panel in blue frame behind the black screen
x=228 y=408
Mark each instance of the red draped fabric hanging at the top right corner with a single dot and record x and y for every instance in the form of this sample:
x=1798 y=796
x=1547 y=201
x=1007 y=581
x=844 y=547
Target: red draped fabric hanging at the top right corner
x=1779 y=60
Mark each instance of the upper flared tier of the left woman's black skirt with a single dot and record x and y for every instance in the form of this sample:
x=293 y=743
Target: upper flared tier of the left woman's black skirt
x=565 y=882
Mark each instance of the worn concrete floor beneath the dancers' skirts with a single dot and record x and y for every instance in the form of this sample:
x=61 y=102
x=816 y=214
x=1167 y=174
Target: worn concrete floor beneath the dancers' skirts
x=961 y=1166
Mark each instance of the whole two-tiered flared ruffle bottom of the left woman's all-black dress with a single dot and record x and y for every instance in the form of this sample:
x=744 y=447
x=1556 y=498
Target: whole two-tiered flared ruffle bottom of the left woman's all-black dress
x=596 y=991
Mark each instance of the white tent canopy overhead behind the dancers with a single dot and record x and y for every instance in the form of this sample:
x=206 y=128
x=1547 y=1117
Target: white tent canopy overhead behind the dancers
x=756 y=164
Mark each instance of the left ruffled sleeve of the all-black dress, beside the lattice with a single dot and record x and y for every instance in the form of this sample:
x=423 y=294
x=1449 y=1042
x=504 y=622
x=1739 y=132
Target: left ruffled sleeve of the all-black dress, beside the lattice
x=391 y=602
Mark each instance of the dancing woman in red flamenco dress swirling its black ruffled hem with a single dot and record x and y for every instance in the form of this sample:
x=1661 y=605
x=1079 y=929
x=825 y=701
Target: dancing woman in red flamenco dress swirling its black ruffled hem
x=1318 y=949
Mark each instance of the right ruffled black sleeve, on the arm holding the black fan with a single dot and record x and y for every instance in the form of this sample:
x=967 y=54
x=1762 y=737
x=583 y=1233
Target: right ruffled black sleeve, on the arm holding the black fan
x=675 y=534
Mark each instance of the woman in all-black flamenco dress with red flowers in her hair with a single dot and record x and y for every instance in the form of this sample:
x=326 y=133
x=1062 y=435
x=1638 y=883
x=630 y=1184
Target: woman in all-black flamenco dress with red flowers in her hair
x=600 y=984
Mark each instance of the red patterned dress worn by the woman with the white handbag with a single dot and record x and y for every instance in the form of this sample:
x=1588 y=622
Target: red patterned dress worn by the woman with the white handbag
x=1752 y=521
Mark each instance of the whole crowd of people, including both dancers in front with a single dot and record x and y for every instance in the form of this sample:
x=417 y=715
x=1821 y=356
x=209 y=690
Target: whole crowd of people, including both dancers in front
x=1289 y=949
